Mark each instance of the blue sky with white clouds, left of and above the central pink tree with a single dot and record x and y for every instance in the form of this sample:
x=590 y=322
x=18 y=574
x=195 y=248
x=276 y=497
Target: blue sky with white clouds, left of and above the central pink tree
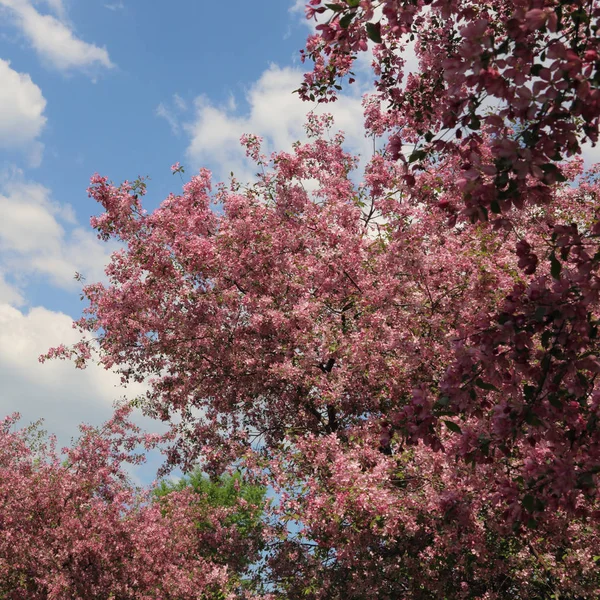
x=123 y=88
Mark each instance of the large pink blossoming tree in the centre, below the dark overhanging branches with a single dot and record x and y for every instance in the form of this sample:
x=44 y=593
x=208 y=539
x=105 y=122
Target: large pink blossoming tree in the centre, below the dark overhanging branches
x=391 y=376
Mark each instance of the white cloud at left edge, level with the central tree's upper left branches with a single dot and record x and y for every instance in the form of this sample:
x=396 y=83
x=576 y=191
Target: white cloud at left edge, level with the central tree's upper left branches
x=39 y=236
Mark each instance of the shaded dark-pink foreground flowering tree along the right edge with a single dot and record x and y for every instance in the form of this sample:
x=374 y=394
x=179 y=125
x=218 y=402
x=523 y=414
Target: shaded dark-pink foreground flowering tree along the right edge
x=516 y=91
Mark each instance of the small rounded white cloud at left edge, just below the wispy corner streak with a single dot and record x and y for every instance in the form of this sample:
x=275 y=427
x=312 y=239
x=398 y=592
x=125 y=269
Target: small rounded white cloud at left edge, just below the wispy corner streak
x=22 y=108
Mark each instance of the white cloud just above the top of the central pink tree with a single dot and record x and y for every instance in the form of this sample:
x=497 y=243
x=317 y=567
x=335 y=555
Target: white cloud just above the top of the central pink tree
x=275 y=113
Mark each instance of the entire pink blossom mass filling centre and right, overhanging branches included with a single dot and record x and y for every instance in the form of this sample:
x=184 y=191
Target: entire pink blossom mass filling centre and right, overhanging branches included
x=410 y=362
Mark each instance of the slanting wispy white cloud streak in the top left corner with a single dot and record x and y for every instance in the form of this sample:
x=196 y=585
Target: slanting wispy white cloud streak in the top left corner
x=53 y=39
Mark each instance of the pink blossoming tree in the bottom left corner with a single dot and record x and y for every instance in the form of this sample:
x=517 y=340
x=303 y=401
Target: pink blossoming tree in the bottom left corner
x=73 y=526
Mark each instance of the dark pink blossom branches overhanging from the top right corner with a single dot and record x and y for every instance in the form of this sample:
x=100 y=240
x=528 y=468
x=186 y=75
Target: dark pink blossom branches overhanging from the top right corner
x=526 y=73
